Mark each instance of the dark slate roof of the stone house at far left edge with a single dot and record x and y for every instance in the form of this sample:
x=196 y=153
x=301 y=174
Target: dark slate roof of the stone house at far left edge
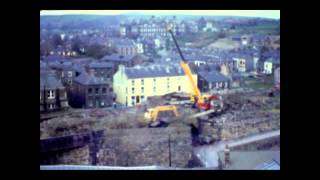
x=48 y=80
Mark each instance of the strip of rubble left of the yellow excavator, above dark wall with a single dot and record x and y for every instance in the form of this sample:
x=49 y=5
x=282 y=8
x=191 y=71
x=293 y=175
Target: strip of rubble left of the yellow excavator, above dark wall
x=86 y=120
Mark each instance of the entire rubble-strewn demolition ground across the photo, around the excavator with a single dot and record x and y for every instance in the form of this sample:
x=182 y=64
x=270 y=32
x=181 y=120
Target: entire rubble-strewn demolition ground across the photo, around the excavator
x=128 y=141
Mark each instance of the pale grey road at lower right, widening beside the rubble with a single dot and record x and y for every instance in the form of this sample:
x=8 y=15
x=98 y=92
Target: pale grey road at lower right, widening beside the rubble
x=208 y=155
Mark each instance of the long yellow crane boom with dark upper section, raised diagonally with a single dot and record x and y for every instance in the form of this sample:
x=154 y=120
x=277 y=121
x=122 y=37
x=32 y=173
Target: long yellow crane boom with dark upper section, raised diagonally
x=187 y=70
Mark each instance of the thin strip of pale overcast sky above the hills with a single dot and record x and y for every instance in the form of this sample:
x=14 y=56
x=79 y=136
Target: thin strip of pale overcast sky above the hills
x=275 y=14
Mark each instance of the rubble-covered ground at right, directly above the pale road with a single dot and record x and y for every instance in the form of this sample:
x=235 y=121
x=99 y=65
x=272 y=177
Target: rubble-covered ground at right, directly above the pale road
x=248 y=114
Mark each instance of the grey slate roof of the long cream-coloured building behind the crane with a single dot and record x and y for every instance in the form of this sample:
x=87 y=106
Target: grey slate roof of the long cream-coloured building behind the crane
x=154 y=71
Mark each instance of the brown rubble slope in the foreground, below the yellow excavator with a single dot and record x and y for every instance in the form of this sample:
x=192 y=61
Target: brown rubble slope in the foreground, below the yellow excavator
x=146 y=146
